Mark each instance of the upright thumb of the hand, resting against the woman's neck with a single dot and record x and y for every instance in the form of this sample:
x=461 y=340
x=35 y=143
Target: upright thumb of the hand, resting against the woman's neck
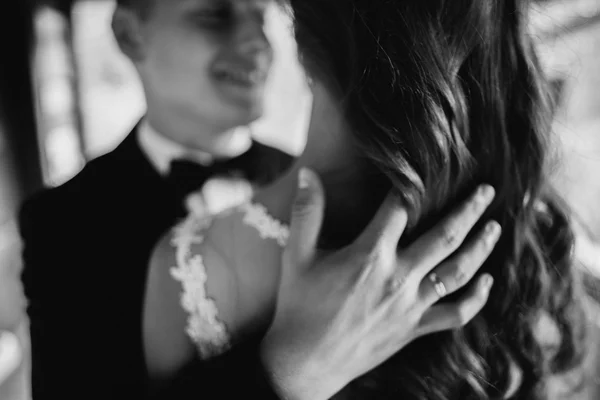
x=307 y=218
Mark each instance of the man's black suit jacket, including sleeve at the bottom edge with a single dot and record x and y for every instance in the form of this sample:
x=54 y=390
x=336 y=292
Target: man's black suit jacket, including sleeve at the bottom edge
x=87 y=245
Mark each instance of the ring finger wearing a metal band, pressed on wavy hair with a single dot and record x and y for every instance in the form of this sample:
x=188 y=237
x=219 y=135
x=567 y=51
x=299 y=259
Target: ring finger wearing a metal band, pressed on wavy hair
x=458 y=270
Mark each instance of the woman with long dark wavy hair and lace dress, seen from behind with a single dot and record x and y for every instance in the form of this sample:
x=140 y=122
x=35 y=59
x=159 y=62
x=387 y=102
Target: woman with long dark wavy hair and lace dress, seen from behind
x=423 y=99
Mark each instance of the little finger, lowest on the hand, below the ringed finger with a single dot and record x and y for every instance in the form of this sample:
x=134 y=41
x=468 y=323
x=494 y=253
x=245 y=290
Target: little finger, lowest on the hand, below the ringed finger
x=449 y=316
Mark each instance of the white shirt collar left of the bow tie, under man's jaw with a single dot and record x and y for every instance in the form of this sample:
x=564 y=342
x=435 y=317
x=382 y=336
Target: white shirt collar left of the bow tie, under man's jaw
x=161 y=150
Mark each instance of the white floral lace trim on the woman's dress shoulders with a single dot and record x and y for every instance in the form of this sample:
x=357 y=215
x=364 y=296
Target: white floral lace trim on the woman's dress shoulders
x=203 y=325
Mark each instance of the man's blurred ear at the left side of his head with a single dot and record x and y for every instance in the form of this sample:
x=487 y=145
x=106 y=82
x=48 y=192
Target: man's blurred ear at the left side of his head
x=127 y=29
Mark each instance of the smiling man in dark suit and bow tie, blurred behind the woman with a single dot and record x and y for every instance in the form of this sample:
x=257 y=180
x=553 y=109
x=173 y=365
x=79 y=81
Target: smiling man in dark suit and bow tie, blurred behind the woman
x=87 y=242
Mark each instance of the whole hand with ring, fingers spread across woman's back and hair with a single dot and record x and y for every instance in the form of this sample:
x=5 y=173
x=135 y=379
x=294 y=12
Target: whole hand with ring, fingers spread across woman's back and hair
x=339 y=316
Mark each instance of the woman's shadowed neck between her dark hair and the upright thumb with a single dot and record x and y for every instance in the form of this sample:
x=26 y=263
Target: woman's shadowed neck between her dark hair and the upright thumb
x=349 y=195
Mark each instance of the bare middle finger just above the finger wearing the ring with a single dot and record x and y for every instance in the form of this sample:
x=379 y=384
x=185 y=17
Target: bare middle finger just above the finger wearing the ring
x=441 y=241
